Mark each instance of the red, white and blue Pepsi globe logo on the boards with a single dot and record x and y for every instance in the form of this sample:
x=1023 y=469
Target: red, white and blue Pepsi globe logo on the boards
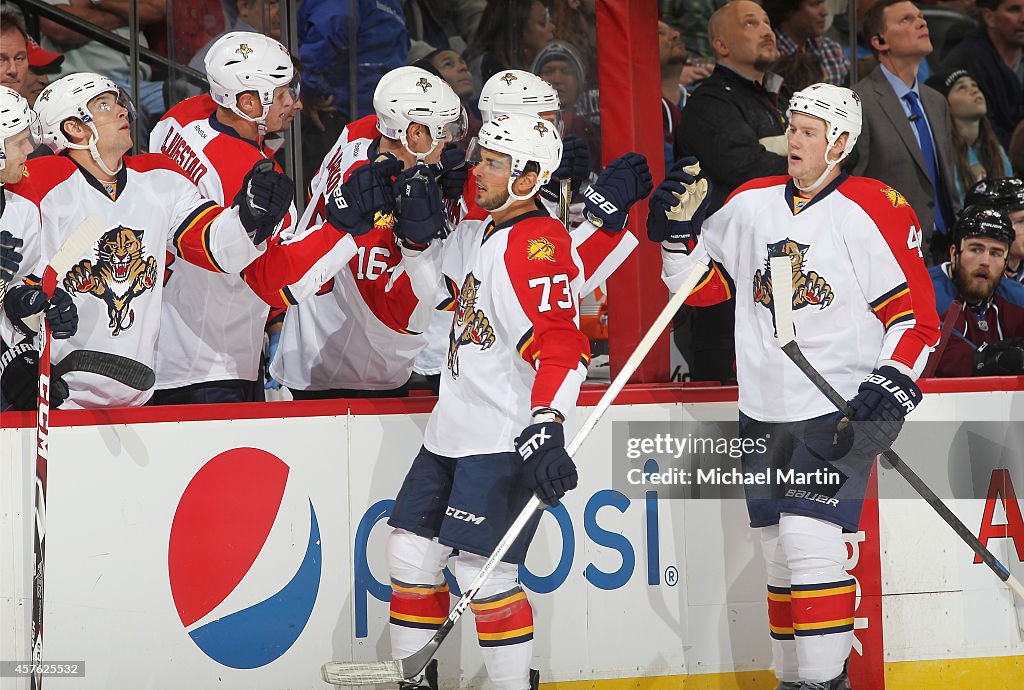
x=244 y=575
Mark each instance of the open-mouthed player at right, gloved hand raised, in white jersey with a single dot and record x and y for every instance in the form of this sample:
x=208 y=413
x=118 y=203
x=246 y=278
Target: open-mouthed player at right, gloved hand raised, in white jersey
x=865 y=316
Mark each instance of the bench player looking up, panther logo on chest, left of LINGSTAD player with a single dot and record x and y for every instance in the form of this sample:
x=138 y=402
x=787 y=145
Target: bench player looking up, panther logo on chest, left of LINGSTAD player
x=149 y=206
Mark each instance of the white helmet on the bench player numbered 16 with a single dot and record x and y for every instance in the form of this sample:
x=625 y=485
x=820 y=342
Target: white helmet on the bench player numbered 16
x=408 y=96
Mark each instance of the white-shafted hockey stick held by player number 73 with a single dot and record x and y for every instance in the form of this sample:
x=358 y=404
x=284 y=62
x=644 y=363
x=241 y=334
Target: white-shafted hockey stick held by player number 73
x=399 y=671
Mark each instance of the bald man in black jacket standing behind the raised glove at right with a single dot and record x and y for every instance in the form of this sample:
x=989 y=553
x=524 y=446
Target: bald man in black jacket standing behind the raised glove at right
x=734 y=123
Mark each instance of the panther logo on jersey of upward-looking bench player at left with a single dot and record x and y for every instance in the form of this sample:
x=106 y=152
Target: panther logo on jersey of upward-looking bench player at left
x=119 y=276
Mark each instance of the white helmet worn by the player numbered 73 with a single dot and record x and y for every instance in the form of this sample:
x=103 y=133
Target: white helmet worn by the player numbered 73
x=527 y=140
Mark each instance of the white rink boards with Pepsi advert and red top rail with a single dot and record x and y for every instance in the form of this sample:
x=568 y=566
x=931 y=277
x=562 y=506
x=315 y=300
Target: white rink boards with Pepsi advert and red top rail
x=244 y=553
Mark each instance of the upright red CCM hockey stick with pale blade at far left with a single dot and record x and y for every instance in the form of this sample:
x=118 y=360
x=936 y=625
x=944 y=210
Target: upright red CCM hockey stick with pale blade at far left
x=81 y=239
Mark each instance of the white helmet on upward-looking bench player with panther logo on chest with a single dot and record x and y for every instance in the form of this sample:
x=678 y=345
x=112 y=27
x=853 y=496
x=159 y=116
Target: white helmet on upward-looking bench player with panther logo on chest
x=69 y=98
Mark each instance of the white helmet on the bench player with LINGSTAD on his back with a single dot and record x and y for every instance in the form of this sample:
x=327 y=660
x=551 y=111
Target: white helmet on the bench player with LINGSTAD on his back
x=241 y=62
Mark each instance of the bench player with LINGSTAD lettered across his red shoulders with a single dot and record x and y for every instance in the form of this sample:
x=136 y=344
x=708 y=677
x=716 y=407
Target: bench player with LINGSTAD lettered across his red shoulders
x=211 y=335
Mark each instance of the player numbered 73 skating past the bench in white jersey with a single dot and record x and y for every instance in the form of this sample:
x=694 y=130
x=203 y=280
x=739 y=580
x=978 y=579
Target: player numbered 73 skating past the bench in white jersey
x=516 y=363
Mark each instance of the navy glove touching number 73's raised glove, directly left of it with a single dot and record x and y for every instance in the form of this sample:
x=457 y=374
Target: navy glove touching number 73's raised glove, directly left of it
x=354 y=205
